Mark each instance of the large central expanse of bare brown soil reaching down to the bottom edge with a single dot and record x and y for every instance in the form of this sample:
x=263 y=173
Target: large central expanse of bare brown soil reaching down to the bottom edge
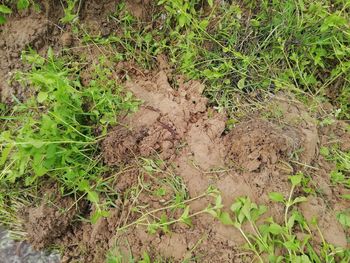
x=175 y=124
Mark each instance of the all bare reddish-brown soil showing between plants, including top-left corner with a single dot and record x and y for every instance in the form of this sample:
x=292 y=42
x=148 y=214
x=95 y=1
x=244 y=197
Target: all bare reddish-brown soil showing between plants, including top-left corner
x=176 y=125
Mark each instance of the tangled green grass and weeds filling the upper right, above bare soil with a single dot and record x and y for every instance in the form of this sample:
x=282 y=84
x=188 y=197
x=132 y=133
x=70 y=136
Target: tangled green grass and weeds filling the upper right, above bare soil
x=297 y=46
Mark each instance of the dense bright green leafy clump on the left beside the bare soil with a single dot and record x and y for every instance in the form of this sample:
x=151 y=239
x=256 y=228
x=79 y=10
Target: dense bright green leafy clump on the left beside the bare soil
x=55 y=134
